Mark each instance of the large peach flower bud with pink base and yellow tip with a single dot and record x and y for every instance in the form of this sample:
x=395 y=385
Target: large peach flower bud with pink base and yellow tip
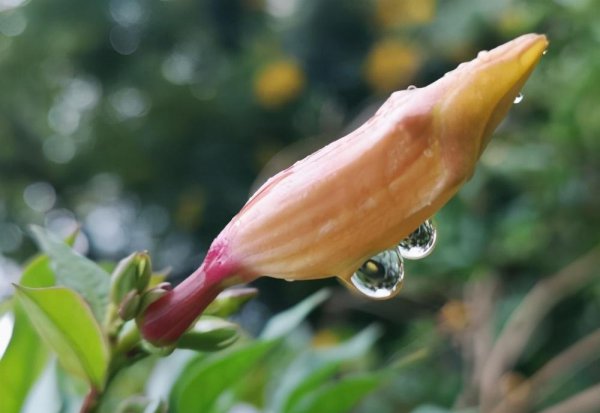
x=360 y=195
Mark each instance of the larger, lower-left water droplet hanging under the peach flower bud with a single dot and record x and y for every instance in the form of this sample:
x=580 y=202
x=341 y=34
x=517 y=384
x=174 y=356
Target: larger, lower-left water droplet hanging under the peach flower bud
x=381 y=275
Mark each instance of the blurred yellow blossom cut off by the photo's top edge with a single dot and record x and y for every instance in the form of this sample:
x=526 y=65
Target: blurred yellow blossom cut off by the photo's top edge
x=391 y=13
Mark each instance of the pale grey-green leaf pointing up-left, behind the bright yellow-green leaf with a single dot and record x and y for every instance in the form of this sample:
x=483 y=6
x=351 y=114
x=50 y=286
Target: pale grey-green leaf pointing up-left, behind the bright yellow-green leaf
x=75 y=271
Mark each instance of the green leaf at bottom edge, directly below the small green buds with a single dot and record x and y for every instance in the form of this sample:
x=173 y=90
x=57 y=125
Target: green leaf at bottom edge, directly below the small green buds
x=205 y=379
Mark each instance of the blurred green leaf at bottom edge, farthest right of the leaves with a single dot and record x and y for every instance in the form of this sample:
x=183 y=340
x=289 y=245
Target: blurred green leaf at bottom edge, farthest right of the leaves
x=340 y=396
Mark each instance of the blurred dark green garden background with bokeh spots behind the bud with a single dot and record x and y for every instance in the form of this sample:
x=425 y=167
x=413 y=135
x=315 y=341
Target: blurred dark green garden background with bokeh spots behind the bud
x=149 y=123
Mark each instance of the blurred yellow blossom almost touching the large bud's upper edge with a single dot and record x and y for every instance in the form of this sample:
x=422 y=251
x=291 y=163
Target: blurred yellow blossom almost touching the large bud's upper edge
x=390 y=65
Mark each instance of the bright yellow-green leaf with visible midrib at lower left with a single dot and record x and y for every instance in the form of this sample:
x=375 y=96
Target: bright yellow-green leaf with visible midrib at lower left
x=67 y=325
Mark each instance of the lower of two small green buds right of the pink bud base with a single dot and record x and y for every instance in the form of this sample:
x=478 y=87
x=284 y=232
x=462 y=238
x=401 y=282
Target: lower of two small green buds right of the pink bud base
x=209 y=334
